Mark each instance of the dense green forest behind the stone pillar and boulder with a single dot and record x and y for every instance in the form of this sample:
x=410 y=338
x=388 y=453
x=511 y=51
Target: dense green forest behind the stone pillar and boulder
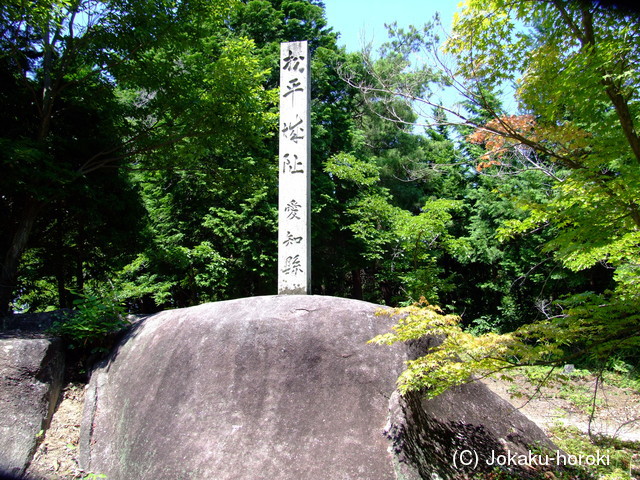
x=138 y=150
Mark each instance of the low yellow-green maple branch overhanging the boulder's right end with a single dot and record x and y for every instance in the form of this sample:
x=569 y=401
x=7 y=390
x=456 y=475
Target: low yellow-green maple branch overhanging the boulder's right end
x=461 y=355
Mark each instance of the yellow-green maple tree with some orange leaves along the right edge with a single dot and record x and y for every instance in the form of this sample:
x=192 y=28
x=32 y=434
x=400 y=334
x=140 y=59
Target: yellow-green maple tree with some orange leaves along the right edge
x=585 y=109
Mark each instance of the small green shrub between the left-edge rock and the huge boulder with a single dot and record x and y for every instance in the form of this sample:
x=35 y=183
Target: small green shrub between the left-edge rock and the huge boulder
x=92 y=322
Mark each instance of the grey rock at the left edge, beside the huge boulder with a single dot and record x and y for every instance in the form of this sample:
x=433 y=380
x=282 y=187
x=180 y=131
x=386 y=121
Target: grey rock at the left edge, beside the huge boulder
x=31 y=376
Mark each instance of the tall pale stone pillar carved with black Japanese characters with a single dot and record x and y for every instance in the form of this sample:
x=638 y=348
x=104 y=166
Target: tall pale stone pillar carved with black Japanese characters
x=294 y=204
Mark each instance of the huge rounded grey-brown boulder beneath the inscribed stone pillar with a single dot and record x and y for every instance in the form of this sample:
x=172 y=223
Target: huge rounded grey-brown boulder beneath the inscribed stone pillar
x=279 y=387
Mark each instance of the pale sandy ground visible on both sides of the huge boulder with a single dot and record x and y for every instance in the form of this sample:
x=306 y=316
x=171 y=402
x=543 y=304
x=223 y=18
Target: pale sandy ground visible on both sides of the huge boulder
x=617 y=414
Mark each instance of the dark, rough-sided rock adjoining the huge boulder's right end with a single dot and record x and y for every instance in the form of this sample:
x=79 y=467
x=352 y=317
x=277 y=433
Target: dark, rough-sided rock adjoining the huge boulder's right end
x=460 y=433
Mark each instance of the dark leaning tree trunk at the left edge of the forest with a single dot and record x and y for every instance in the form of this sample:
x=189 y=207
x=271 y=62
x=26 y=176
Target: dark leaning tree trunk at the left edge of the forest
x=9 y=270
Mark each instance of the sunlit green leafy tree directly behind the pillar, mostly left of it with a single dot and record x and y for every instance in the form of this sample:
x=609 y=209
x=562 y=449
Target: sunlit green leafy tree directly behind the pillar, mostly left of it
x=211 y=224
